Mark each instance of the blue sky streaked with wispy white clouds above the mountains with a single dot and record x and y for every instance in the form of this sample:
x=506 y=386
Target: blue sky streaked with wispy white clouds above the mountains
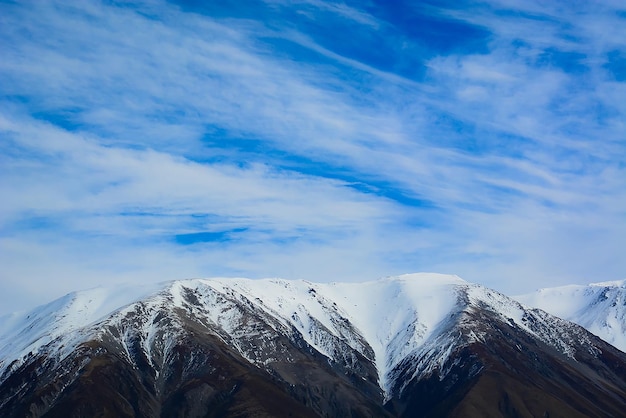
x=322 y=140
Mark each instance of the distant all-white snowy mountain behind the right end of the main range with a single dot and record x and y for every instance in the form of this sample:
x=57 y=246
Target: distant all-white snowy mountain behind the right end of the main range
x=598 y=307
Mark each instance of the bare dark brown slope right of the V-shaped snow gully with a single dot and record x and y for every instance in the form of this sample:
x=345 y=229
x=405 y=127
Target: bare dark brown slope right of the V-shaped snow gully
x=511 y=374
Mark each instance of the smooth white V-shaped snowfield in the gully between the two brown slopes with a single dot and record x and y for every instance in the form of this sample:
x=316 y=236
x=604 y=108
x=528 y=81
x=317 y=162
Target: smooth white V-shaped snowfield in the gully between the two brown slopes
x=398 y=314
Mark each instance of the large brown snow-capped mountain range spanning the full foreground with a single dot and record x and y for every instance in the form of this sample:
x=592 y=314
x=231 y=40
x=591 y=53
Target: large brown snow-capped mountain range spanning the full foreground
x=412 y=345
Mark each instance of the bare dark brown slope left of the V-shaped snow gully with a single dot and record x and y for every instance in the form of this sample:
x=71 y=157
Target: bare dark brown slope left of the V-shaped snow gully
x=199 y=376
